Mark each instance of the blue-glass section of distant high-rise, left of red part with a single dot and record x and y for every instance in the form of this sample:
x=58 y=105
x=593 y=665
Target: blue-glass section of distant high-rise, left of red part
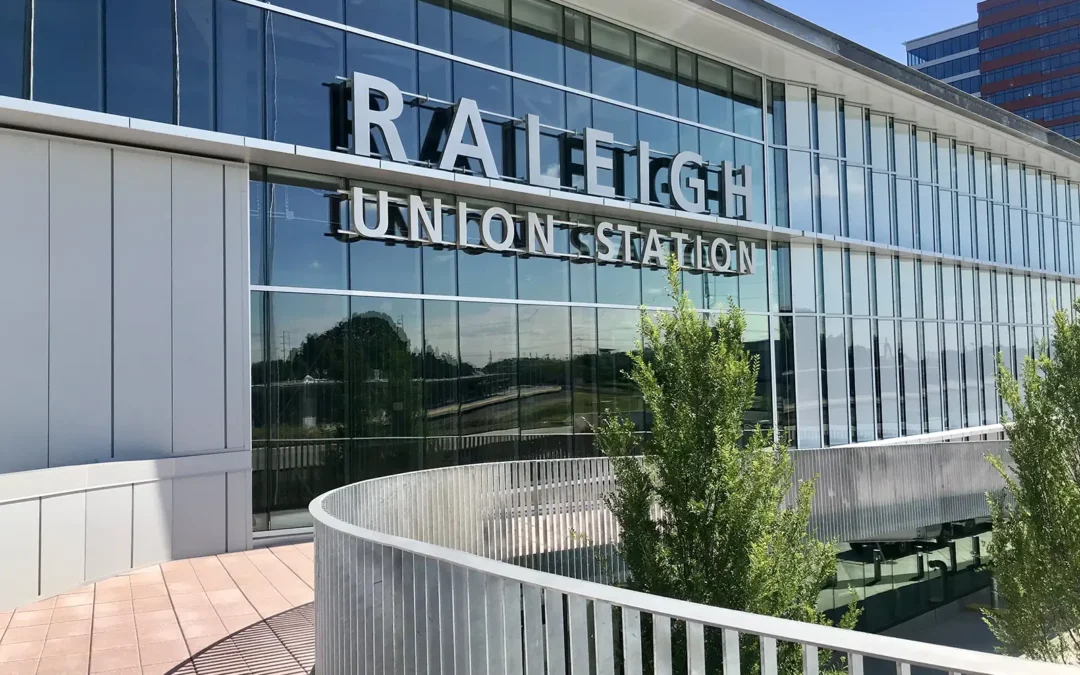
x=951 y=56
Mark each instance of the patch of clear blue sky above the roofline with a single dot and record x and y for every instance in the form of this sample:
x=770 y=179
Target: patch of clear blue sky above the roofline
x=882 y=25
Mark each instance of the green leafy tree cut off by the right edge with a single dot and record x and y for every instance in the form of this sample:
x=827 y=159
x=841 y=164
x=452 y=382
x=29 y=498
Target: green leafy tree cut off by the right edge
x=1036 y=547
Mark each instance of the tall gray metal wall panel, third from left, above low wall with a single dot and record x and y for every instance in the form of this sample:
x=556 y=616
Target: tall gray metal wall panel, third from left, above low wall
x=143 y=373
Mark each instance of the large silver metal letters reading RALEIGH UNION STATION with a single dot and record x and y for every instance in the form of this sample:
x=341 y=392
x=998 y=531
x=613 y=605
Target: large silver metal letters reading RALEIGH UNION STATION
x=467 y=138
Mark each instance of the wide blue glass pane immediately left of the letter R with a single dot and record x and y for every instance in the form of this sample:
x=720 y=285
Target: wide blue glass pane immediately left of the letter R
x=301 y=58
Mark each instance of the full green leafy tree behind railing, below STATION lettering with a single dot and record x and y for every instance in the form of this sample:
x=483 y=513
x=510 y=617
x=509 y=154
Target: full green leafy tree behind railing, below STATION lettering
x=701 y=504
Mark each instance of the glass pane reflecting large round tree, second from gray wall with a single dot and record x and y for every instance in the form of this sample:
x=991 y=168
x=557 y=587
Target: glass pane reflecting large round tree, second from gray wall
x=385 y=344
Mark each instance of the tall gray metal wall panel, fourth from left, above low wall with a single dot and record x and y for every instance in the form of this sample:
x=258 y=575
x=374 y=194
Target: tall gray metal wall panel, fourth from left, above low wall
x=198 y=307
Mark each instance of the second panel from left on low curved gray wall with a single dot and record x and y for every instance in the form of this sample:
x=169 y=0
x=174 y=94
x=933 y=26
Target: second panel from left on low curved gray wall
x=63 y=543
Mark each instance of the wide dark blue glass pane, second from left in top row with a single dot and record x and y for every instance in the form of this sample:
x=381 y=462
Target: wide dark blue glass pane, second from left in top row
x=69 y=59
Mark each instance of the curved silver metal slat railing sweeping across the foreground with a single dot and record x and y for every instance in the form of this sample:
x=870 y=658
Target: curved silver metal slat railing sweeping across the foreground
x=505 y=569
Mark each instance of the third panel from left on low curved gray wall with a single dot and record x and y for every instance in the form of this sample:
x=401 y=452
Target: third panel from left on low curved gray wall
x=109 y=532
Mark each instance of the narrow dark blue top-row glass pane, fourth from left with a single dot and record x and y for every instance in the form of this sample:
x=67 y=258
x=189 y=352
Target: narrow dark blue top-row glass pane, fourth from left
x=195 y=36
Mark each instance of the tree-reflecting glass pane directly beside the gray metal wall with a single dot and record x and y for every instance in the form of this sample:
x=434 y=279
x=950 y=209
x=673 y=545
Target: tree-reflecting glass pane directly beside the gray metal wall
x=307 y=373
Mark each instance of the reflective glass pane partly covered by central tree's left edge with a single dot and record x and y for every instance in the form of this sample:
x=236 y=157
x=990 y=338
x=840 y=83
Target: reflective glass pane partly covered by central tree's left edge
x=619 y=334
